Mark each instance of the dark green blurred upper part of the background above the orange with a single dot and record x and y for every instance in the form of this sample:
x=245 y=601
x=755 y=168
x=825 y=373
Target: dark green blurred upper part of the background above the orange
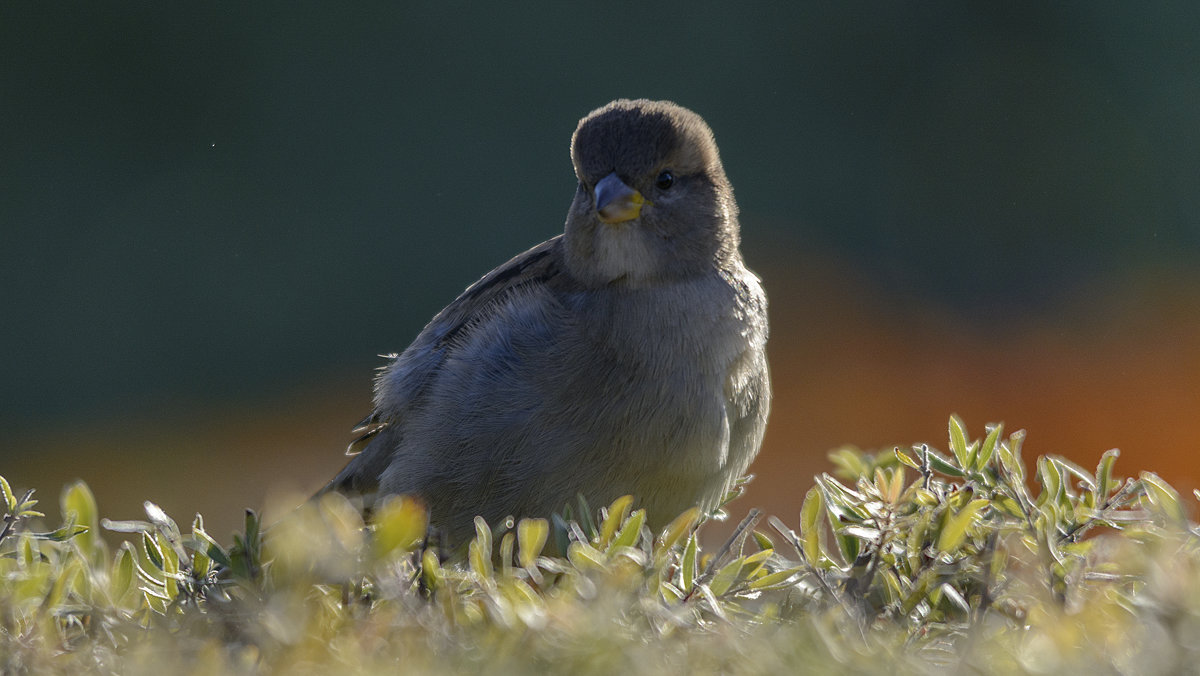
x=212 y=201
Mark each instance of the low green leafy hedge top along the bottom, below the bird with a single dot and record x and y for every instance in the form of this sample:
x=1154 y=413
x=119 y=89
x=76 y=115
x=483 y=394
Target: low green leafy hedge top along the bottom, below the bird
x=905 y=561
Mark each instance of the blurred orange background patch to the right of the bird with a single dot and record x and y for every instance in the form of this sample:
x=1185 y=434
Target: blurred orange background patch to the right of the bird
x=853 y=366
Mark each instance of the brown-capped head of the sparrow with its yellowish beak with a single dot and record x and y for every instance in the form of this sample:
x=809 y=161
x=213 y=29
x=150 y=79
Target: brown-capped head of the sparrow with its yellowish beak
x=653 y=202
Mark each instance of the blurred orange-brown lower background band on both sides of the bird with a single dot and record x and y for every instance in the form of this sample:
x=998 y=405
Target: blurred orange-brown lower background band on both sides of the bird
x=851 y=364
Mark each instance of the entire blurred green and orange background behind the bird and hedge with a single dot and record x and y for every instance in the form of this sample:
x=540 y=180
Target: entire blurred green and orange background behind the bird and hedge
x=215 y=217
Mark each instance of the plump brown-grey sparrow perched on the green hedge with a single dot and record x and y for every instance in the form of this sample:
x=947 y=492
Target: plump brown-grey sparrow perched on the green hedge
x=626 y=356
